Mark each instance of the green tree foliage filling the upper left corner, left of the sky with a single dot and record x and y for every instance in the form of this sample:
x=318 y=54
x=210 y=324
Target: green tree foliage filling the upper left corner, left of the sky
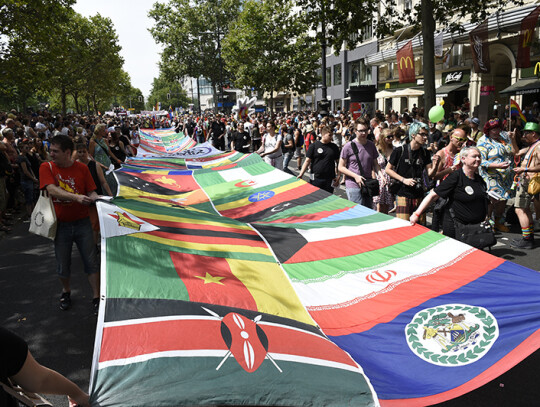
x=47 y=48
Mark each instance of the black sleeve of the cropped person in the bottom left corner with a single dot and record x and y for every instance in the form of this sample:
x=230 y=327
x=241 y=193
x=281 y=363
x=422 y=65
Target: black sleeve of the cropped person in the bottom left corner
x=13 y=352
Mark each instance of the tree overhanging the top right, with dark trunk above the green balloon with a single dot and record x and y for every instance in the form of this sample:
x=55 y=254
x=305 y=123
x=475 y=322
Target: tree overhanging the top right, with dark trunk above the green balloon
x=336 y=21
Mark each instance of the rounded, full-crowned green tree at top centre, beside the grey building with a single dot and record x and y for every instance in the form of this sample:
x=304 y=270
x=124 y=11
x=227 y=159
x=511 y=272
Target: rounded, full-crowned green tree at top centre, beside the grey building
x=268 y=48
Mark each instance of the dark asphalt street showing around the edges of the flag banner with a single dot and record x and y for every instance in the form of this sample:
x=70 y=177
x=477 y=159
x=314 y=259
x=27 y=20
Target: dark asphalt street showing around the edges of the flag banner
x=64 y=340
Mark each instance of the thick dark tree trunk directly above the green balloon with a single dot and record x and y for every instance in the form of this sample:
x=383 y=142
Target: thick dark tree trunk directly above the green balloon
x=428 y=31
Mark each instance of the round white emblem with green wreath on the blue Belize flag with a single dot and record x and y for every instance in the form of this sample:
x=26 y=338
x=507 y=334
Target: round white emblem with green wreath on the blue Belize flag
x=452 y=334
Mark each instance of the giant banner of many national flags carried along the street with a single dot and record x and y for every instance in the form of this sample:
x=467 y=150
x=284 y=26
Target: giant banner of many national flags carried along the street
x=226 y=281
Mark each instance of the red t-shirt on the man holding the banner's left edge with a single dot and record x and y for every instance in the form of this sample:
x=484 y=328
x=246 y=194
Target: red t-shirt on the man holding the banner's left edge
x=75 y=179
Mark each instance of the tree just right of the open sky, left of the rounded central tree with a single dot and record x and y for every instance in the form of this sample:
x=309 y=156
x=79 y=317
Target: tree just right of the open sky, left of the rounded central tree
x=191 y=33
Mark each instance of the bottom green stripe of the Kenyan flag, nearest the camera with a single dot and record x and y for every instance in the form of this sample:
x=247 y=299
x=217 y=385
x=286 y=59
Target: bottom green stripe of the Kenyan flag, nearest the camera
x=186 y=381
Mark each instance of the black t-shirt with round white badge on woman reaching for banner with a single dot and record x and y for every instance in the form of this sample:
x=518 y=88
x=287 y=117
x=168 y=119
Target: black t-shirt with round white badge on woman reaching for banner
x=468 y=197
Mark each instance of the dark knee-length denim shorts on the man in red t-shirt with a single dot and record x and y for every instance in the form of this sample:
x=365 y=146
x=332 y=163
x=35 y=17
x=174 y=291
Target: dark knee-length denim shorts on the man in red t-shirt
x=78 y=232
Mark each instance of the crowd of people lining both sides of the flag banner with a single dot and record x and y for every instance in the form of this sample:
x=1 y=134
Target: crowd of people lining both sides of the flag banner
x=462 y=170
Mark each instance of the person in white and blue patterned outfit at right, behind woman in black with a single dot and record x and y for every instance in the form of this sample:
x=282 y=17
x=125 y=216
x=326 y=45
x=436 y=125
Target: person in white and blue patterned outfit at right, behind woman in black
x=497 y=148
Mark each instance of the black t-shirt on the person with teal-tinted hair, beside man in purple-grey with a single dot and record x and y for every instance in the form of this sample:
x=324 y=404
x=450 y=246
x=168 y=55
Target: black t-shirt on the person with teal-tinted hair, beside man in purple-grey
x=410 y=168
